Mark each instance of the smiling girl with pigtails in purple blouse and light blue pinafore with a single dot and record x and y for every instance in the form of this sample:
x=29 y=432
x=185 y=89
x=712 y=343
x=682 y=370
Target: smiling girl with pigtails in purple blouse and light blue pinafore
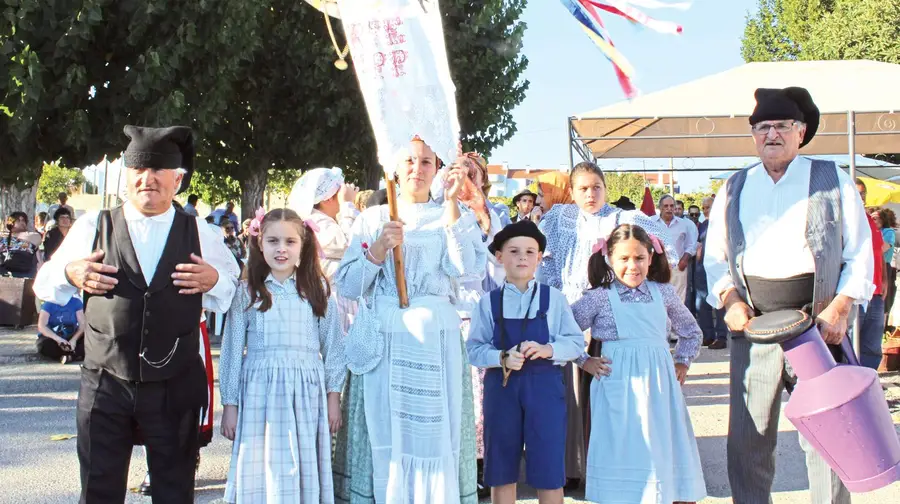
x=642 y=443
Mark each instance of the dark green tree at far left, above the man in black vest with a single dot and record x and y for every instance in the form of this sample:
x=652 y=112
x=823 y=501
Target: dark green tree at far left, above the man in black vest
x=74 y=72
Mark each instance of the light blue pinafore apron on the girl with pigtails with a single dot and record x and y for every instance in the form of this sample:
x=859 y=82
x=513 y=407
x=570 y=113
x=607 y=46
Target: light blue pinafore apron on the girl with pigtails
x=642 y=446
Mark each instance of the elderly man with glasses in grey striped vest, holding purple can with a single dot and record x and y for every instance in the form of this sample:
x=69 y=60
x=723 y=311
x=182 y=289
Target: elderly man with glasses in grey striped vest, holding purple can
x=787 y=233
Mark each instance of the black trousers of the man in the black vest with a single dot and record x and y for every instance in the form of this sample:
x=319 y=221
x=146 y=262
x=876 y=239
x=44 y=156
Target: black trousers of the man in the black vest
x=110 y=410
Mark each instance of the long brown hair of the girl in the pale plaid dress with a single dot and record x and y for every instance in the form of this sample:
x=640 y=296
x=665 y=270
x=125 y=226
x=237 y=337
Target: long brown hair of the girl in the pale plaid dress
x=311 y=283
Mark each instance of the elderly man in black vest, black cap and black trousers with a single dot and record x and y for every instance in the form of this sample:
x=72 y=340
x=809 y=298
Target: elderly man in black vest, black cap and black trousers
x=147 y=270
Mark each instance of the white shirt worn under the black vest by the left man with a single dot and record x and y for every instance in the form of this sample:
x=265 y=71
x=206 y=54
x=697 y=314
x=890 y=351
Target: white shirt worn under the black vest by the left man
x=148 y=236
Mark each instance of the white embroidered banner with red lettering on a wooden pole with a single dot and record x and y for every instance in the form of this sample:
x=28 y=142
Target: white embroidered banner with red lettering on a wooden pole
x=397 y=48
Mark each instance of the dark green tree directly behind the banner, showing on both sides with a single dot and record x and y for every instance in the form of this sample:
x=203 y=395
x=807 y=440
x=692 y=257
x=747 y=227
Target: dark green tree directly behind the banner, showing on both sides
x=282 y=117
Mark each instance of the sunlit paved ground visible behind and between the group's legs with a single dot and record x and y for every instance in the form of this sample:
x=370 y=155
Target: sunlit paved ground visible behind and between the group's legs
x=37 y=400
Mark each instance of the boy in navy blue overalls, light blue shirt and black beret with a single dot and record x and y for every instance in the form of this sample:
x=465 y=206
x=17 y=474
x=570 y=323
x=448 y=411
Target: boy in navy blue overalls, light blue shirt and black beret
x=523 y=333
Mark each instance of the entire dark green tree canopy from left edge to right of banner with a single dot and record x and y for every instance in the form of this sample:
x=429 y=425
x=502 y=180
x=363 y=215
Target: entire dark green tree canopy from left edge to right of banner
x=254 y=79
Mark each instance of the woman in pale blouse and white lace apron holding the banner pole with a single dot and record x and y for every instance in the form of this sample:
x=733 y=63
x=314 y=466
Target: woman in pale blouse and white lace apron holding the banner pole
x=408 y=429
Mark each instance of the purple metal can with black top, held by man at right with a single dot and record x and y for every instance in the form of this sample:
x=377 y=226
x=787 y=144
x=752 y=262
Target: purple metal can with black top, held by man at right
x=839 y=409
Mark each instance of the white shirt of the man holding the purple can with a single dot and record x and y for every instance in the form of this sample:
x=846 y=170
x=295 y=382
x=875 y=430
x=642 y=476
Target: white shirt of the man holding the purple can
x=774 y=220
